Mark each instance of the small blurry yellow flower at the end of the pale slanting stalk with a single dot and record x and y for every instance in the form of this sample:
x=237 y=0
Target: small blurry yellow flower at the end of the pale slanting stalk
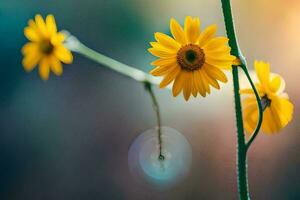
x=45 y=47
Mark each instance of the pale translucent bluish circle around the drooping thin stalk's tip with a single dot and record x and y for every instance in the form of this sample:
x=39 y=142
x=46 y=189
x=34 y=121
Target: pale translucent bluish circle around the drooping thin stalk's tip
x=145 y=166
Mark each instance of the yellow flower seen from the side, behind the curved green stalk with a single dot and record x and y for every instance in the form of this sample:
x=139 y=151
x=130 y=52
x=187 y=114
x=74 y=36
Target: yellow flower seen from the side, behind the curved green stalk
x=278 y=110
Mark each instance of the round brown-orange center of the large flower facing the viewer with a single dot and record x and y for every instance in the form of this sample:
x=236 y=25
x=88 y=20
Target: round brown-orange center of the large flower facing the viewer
x=190 y=57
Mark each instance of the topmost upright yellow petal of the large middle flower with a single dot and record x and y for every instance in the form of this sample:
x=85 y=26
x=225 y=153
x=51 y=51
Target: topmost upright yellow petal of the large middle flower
x=192 y=29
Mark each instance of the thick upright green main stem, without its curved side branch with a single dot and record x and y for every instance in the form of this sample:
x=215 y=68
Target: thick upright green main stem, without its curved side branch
x=241 y=147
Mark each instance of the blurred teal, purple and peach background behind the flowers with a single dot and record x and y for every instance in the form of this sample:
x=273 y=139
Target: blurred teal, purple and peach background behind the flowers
x=68 y=138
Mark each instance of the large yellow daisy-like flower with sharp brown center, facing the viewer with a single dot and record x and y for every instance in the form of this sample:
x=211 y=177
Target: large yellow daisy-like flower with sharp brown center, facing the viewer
x=192 y=59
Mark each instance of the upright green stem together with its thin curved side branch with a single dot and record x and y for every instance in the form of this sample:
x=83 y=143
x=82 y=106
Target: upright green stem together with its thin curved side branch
x=242 y=146
